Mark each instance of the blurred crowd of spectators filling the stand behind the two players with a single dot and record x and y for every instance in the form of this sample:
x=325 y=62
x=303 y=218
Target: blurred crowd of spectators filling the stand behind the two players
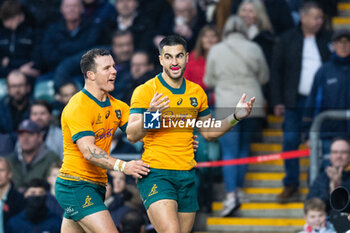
x=283 y=52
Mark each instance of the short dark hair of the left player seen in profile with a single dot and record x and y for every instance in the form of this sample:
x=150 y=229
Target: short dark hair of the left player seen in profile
x=87 y=62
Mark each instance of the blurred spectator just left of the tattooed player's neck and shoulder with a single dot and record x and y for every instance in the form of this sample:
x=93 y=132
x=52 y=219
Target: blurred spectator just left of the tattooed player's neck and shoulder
x=65 y=92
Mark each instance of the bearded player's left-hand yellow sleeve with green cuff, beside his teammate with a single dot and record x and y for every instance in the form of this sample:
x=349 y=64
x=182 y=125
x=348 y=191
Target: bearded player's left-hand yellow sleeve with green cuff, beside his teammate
x=140 y=99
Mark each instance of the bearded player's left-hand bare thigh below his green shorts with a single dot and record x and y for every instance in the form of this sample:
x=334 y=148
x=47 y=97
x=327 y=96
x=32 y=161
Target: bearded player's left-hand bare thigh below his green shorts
x=164 y=217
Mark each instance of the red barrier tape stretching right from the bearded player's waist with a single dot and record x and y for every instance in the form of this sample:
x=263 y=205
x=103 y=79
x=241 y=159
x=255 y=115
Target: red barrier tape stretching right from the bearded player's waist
x=257 y=159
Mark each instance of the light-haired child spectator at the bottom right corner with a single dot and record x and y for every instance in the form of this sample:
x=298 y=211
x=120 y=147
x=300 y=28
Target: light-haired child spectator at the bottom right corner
x=316 y=217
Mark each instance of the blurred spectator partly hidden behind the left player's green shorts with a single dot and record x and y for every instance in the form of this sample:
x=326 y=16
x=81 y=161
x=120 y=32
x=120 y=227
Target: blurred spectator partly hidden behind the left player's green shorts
x=51 y=201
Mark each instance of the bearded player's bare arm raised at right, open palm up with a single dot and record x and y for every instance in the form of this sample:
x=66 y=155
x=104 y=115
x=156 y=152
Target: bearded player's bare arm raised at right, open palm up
x=243 y=110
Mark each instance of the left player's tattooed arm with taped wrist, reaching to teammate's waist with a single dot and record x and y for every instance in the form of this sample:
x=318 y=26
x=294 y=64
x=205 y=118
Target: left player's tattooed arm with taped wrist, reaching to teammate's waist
x=101 y=158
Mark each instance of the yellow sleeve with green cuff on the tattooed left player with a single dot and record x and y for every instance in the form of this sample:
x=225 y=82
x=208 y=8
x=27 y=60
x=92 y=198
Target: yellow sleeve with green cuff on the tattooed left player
x=79 y=122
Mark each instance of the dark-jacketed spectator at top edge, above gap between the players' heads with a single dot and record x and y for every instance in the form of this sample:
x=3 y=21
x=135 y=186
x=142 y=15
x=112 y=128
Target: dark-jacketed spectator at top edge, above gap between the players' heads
x=128 y=18
